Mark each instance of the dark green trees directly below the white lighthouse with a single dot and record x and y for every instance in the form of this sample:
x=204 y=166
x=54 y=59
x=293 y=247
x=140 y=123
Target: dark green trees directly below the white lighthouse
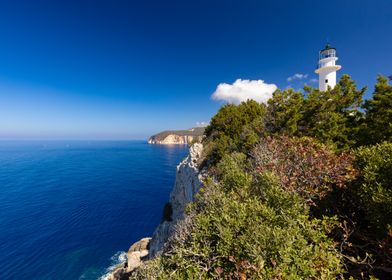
x=332 y=116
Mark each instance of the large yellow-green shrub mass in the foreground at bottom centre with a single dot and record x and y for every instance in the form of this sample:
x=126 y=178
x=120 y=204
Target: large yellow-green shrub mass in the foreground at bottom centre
x=246 y=235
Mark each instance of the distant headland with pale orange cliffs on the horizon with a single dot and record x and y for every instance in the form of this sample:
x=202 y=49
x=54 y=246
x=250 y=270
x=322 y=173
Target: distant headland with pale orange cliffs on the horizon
x=170 y=137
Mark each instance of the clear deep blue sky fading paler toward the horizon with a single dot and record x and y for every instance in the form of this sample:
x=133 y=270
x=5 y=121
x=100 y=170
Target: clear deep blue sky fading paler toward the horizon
x=127 y=69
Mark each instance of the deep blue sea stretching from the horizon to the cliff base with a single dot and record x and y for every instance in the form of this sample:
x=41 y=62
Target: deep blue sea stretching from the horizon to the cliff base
x=69 y=208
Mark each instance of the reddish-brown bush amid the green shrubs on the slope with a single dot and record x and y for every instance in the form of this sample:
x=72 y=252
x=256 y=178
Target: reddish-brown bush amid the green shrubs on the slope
x=303 y=165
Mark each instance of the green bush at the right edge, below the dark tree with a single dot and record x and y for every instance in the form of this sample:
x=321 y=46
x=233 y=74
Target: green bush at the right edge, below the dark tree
x=374 y=184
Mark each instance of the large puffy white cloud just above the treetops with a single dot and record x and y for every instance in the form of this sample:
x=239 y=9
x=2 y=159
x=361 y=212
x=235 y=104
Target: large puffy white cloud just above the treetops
x=242 y=90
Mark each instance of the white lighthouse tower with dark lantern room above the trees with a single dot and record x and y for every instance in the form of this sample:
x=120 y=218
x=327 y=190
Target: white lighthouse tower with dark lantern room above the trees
x=327 y=68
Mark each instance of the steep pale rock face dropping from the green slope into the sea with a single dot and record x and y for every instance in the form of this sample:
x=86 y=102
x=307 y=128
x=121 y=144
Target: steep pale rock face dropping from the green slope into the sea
x=187 y=184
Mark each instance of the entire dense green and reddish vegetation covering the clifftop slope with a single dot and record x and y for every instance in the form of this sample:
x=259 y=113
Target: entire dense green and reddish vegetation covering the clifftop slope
x=299 y=188
